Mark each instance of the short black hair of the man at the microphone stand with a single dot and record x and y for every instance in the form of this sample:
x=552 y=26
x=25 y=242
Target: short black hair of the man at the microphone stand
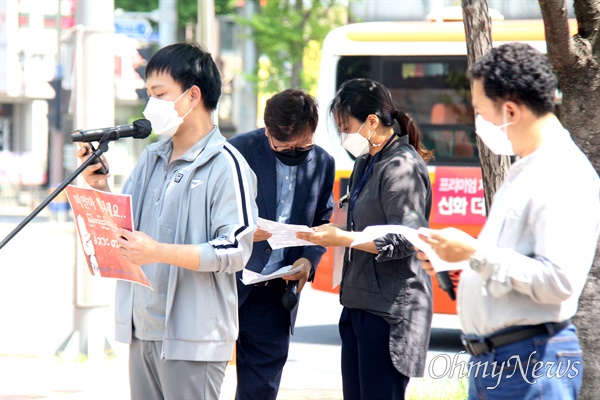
x=189 y=64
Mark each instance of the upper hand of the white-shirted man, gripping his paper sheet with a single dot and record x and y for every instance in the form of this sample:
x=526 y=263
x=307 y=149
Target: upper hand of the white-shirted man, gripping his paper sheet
x=450 y=244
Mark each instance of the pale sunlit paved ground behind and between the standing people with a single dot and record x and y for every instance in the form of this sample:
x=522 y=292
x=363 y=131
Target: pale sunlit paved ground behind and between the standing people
x=38 y=290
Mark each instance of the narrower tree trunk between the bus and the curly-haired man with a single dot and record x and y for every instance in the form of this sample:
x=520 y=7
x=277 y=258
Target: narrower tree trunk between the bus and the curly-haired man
x=479 y=41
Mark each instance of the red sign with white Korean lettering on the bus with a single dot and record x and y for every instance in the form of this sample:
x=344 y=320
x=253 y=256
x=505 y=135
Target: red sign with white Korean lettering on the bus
x=458 y=196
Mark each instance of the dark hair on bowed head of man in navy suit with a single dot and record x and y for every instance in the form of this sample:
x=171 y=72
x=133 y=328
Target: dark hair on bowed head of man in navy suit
x=291 y=114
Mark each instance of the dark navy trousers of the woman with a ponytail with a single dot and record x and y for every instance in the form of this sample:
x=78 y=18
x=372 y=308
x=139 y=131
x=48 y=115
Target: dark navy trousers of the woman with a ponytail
x=367 y=369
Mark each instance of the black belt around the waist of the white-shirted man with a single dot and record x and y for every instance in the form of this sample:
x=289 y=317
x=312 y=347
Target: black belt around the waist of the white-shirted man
x=479 y=345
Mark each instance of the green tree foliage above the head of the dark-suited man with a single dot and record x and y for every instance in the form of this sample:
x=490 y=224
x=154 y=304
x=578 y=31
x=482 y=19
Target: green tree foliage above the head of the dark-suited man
x=282 y=31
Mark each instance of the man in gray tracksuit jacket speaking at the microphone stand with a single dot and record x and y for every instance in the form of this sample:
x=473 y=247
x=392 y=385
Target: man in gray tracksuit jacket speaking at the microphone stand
x=195 y=214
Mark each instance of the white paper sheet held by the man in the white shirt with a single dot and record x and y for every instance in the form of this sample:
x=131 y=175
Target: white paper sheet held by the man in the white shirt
x=373 y=232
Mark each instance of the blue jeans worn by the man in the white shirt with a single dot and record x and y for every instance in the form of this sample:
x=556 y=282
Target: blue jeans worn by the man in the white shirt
x=548 y=367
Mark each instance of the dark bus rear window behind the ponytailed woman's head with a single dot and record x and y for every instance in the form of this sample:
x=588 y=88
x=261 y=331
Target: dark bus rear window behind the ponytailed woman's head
x=434 y=90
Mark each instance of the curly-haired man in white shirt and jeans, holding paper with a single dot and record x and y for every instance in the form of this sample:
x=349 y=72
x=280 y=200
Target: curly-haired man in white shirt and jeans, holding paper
x=530 y=263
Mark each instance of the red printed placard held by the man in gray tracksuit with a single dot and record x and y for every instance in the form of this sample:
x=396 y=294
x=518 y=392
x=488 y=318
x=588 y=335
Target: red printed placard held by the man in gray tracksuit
x=98 y=216
